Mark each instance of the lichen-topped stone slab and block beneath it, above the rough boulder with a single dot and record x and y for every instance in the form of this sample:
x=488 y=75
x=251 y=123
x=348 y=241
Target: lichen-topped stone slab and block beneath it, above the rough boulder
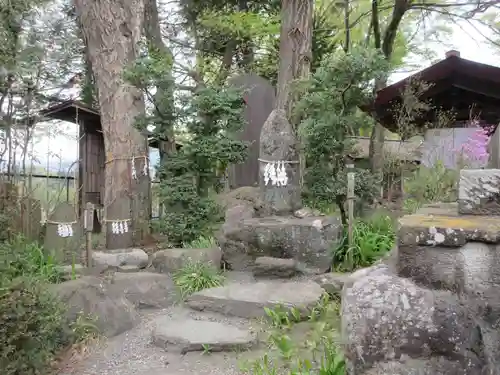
x=459 y=253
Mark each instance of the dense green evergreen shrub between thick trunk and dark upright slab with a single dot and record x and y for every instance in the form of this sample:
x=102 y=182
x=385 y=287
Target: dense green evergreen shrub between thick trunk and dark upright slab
x=212 y=117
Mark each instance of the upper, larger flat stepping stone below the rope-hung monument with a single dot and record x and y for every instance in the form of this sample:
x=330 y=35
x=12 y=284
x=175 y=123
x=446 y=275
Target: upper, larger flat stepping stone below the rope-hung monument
x=249 y=300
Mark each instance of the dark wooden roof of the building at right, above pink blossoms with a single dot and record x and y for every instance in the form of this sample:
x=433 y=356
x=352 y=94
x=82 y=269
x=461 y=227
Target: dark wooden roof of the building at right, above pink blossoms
x=467 y=87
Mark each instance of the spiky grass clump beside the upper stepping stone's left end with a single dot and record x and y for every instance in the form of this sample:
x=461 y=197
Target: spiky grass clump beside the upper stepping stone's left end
x=196 y=276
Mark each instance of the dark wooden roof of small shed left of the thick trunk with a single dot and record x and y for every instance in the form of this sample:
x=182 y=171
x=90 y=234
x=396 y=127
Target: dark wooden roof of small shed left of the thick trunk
x=76 y=111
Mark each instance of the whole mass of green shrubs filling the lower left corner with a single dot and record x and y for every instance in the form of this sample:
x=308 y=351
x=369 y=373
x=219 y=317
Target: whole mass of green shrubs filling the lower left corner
x=33 y=325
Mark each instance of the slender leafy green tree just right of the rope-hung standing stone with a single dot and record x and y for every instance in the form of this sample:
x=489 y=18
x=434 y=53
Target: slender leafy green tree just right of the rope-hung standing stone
x=329 y=109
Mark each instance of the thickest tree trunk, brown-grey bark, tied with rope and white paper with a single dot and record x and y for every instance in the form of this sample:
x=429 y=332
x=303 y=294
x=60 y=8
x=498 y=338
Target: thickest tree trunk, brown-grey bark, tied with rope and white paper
x=112 y=30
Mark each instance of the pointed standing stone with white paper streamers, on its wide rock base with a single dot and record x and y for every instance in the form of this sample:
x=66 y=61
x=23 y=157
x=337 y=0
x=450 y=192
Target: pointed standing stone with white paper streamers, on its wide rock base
x=274 y=236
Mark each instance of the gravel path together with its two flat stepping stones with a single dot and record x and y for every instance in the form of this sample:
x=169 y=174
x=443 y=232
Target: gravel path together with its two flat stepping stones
x=163 y=343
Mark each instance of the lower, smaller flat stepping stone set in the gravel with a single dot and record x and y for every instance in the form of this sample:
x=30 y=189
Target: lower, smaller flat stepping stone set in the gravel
x=199 y=335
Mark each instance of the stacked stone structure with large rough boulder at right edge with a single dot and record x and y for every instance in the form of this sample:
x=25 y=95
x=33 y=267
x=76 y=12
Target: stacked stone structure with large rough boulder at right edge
x=436 y=308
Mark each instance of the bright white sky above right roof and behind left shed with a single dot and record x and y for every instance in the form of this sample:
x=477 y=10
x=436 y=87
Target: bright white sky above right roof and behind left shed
x=58 y=150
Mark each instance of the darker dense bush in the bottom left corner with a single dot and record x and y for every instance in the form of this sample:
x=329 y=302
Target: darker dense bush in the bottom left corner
x=32 y=326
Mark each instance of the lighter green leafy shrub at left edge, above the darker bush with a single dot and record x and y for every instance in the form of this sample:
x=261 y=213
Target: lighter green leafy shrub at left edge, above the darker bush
x=19 y=257
